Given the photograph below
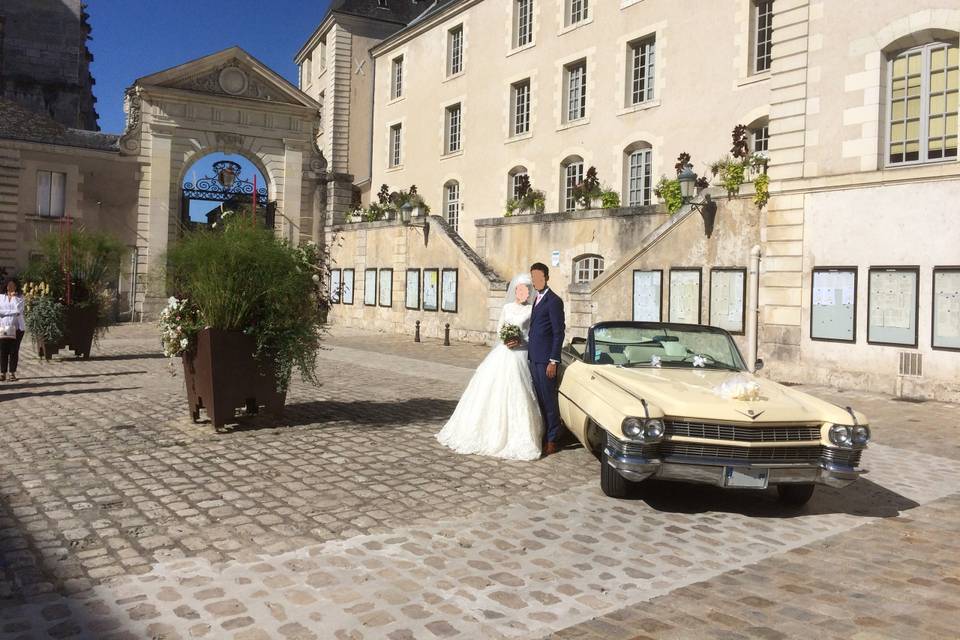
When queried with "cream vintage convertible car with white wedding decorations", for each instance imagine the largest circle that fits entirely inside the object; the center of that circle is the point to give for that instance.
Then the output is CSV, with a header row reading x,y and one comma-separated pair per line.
x,y
675,402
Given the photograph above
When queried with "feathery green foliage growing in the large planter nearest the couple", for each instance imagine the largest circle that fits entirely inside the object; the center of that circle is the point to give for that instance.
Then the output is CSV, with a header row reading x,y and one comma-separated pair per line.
x,y
246,279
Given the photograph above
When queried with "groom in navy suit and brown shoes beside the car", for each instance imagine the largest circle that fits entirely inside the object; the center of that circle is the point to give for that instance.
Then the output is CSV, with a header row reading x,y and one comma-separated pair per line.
x,y
543,351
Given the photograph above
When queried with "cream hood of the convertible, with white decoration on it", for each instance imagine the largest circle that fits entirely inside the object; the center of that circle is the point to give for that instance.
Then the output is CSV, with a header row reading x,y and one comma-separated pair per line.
x,y
696,393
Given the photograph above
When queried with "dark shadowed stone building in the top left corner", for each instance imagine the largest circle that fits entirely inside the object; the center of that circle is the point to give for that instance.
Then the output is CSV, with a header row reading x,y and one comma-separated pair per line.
x,y
45,62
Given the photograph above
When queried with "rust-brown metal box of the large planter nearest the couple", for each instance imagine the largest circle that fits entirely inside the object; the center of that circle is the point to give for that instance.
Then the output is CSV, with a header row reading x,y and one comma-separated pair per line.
x,y
223,375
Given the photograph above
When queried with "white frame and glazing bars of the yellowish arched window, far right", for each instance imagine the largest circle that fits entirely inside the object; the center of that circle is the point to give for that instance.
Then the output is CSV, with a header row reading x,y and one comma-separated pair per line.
x,y
926,96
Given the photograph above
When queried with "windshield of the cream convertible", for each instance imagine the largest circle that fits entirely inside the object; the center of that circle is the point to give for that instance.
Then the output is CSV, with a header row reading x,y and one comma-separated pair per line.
x,y
665,346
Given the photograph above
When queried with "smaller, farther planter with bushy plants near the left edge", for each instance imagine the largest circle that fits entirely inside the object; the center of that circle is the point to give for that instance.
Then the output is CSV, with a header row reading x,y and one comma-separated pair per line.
x,y
68,282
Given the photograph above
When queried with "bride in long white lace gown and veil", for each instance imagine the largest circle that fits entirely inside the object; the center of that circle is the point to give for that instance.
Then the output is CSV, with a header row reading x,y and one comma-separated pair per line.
x,y
498,414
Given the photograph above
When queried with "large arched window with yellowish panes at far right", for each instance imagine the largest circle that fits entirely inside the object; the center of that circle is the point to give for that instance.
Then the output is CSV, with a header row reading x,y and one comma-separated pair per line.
x,y
923,104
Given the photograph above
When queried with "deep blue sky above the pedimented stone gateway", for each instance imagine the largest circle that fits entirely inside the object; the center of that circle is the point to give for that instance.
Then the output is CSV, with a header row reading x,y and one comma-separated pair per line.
x,y
135,38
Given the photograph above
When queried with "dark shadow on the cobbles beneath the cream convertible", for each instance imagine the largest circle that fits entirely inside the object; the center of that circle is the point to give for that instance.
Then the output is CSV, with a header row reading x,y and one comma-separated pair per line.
x,y
862,498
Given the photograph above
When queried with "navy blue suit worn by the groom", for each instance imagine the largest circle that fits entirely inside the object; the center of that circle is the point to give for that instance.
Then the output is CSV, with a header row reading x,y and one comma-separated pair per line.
x,y
547,329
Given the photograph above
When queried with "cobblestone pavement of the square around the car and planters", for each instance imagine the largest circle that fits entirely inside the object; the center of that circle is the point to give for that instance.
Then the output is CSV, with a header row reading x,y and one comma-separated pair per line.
x,y
120,518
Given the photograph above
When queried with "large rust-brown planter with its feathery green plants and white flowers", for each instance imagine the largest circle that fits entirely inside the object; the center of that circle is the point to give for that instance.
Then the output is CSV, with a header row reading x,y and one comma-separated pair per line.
x,y
246,312
